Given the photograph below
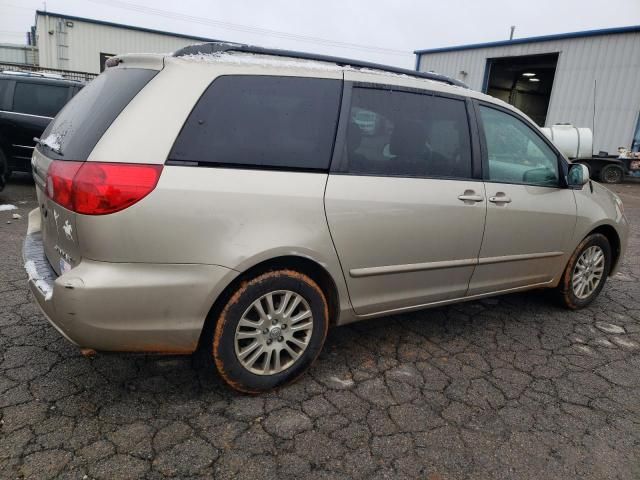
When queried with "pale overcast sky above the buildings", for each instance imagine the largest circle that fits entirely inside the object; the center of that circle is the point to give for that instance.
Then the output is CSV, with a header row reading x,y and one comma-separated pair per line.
x,y
376,30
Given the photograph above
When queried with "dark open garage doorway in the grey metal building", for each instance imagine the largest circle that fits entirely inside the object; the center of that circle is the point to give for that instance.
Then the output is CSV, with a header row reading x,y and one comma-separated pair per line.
x,y
525,82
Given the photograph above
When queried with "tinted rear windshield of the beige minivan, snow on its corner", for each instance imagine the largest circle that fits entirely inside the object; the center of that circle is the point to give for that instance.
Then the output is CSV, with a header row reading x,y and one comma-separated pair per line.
x,y
75,131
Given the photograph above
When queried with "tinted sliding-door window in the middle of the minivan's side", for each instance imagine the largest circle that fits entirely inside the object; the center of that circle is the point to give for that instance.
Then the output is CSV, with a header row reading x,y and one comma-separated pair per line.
x,y
393,133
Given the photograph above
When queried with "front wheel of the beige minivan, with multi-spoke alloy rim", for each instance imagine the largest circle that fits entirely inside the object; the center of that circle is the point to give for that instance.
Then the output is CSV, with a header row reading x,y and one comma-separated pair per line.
x,y
569,290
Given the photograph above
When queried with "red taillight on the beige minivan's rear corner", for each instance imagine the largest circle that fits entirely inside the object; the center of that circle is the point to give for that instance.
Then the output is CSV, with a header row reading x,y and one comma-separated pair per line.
x,y
98,188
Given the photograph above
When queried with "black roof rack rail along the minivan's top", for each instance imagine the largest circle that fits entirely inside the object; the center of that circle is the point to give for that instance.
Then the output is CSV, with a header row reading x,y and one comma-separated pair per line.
x,y
223,47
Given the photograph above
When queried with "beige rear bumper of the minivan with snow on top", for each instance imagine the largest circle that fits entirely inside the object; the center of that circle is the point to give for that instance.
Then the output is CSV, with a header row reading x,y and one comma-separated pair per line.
x,y
124,306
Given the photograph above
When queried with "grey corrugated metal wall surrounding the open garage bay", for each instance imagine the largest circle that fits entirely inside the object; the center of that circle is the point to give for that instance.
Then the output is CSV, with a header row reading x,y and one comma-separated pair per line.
x,y
610,63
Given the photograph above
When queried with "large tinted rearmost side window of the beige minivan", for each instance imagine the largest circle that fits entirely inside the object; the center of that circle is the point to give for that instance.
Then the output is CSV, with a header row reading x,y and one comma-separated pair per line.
x,y
262,121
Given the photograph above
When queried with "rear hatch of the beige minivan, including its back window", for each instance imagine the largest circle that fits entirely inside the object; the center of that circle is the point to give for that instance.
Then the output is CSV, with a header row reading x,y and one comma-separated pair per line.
x,y
66,144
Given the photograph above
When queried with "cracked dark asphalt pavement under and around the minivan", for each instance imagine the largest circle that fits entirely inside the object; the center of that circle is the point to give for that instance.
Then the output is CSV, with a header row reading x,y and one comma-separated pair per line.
x,y
510,387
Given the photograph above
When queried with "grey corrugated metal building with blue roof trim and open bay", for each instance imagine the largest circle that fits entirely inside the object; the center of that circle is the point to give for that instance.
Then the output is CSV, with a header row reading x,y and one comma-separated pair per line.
x,y
590,79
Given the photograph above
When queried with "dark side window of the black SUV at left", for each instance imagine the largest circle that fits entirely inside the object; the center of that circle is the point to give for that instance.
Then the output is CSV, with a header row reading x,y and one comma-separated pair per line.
x,y
39,99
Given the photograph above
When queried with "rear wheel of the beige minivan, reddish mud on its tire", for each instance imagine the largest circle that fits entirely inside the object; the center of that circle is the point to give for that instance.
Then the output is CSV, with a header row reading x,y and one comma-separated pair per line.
x,y
275,334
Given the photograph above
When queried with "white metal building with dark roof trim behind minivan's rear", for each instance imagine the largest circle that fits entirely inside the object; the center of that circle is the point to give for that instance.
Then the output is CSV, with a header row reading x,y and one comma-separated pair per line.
x,y
66,42
